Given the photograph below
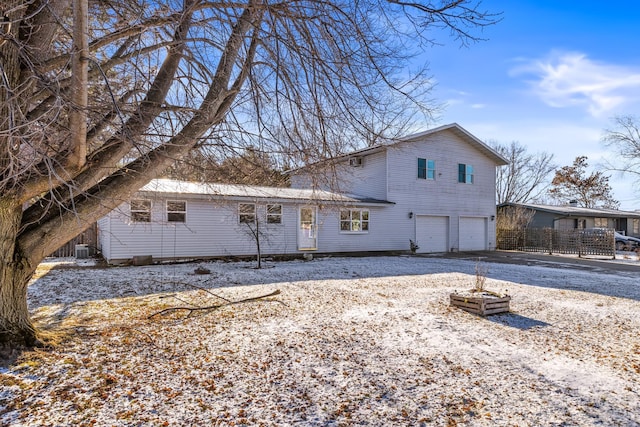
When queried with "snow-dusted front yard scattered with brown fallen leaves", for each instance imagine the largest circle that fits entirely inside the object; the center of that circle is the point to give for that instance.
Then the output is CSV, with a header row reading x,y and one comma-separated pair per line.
x,y
349,341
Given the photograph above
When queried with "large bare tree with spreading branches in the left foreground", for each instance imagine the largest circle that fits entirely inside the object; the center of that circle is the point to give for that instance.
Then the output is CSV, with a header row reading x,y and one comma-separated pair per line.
x,y
97,98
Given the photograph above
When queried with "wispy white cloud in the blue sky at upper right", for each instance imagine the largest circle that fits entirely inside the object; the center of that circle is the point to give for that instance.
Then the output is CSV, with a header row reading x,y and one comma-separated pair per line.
x,y
572,79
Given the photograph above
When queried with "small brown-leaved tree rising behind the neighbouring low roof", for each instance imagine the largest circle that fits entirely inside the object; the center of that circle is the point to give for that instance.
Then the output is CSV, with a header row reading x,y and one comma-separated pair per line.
x,y
572,183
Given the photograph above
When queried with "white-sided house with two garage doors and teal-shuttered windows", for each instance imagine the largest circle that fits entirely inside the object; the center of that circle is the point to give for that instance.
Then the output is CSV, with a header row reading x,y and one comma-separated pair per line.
x,y
436,188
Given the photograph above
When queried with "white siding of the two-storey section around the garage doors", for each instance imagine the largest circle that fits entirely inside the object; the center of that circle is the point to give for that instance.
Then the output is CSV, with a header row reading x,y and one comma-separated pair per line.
x,y
443,196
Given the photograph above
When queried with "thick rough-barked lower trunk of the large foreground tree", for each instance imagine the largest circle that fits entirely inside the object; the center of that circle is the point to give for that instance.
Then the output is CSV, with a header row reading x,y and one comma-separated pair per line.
x,y
16,329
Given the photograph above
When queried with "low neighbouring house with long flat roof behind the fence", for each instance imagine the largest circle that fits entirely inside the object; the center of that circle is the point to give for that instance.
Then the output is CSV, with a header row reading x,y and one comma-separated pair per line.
x,y
571,216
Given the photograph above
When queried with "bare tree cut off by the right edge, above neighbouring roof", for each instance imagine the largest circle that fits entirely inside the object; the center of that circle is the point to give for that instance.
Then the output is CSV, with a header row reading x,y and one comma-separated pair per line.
x,y
625,139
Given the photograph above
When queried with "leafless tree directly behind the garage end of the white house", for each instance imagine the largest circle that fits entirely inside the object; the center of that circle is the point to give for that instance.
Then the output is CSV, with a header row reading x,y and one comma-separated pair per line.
x,y
526,177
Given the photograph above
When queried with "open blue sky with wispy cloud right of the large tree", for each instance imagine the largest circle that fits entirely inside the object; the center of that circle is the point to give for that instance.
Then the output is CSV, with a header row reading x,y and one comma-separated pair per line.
x,y
551,75
